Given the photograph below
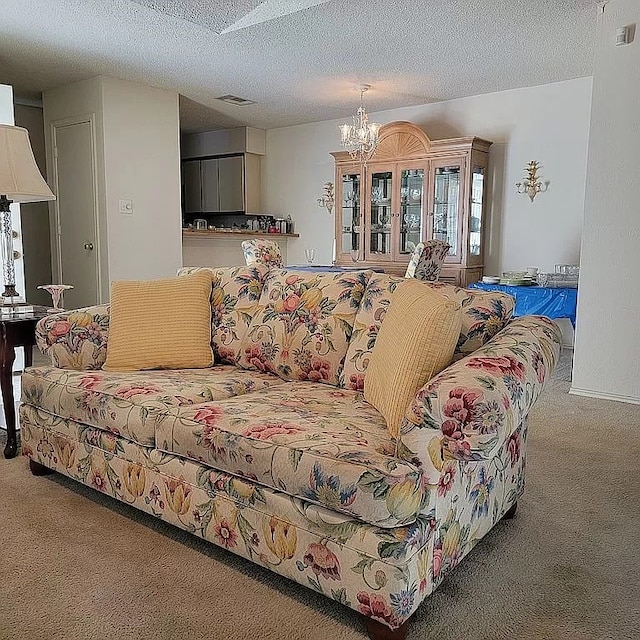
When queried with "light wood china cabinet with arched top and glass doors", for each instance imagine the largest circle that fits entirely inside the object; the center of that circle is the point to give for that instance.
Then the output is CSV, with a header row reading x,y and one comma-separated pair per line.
x,y
415,189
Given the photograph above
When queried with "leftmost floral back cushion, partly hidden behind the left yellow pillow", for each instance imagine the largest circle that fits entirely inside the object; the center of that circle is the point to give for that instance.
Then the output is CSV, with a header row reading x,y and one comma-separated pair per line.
x,y
234,299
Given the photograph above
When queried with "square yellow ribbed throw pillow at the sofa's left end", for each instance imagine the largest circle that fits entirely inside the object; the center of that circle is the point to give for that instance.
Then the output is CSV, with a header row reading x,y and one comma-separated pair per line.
x,y
160,324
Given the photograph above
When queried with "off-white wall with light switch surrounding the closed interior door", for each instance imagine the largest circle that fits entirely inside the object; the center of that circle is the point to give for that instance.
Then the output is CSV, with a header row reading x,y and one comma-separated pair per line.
x,y
138,158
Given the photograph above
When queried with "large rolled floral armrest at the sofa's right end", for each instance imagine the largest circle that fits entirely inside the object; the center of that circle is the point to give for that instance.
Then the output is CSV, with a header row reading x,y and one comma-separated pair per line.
x,y
478,401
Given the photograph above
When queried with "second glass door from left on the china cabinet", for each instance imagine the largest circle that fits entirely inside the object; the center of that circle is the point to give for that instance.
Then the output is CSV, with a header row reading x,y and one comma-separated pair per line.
x,y
380,198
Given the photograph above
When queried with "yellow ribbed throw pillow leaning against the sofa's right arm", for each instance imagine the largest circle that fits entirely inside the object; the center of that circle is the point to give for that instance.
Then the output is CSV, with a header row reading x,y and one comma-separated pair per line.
x,y
416,341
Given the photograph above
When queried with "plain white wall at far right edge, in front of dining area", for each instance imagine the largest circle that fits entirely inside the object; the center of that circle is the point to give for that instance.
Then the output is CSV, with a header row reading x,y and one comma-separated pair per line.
x,y
607,356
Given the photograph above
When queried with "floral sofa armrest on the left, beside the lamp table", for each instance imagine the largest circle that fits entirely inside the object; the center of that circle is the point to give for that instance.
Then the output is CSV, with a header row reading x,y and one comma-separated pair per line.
x,y
75,339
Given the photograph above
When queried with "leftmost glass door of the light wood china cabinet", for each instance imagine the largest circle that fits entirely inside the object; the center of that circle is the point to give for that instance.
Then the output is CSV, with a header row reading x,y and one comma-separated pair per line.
x,y
348,213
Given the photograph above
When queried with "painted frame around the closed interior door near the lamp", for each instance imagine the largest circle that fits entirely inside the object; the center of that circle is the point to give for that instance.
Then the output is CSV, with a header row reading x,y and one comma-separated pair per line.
x,y
56,229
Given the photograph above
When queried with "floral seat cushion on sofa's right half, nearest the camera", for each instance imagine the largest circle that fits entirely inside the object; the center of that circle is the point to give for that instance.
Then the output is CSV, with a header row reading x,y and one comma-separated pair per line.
x,y
314,442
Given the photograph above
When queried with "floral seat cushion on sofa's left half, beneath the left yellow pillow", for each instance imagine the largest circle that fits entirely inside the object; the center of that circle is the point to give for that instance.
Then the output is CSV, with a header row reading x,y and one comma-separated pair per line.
x,y
131,403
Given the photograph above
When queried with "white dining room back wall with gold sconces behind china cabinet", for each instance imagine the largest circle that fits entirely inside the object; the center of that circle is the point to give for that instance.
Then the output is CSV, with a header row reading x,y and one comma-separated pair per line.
x,y
549,123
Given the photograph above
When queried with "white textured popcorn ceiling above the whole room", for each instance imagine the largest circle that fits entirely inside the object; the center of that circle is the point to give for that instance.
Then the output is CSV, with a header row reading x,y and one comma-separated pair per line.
x,y
297,59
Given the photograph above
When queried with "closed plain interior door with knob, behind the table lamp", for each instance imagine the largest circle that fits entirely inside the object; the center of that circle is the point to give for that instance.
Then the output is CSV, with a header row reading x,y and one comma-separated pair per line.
x,y
76,212
